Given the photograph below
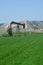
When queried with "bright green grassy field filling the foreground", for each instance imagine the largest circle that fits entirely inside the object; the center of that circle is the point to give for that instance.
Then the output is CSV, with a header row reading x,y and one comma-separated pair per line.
x,y
24,50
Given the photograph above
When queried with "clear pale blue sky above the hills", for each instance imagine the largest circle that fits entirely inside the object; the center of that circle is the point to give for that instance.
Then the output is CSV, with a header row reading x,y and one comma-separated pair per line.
x,y
18,10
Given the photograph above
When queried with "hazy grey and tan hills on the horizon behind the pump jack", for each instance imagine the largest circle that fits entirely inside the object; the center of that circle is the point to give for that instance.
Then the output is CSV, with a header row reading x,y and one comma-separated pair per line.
x,y
29,25
